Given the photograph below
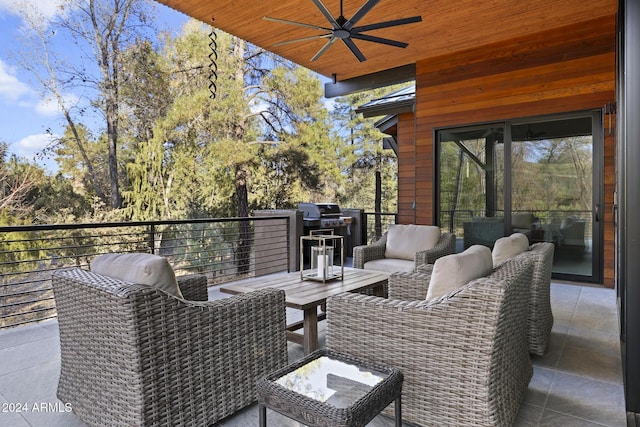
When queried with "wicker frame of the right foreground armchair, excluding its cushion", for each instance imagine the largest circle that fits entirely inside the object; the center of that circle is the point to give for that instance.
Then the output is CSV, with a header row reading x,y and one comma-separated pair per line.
x,y
464,356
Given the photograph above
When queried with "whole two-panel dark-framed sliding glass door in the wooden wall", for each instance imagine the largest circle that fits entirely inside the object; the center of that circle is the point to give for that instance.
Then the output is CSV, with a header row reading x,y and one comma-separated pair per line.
x,y
534,176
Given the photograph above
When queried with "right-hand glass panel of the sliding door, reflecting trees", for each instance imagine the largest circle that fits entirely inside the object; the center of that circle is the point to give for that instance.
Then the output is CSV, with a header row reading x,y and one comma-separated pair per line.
x,y
552,177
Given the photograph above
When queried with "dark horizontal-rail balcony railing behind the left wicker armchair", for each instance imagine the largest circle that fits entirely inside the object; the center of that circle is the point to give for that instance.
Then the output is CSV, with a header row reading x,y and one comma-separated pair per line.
x,y
222,249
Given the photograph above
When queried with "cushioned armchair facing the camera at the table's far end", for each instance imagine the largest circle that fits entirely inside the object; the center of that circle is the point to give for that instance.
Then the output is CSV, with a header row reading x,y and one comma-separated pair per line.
x,y
377,255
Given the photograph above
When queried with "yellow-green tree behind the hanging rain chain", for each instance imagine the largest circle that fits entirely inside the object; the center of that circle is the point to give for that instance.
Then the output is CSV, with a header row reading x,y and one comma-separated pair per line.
x,y
185,161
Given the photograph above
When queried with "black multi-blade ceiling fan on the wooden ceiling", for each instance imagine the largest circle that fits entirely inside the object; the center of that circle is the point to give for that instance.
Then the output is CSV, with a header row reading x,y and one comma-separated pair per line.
x,y
345,29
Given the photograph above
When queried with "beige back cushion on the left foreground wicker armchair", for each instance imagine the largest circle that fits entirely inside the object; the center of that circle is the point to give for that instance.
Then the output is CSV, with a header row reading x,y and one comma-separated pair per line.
x,y
139,268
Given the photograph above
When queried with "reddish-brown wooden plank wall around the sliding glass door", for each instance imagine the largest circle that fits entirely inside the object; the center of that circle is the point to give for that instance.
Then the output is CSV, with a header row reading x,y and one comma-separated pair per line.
x,y
546,73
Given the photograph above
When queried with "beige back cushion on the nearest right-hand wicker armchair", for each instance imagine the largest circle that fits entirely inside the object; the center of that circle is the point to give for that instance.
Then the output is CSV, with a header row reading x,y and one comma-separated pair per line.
x,y
453,271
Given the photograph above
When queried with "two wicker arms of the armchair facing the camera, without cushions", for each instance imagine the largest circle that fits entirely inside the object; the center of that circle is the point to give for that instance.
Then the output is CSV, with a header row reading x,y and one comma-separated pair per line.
x,y
363,254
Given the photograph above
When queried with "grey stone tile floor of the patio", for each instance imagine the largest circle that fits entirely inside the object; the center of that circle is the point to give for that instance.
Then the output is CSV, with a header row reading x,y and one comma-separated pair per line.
x,y
578,382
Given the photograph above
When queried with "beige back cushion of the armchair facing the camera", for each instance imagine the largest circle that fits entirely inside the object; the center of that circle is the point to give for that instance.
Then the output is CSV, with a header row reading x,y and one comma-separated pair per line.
x,y
404,240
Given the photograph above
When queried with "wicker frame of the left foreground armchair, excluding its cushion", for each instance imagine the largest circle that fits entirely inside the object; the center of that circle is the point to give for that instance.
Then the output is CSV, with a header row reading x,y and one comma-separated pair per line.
x,y
135,355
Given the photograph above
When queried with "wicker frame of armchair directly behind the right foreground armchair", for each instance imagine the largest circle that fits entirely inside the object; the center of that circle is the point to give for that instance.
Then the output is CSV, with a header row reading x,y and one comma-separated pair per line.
x,y
410,286
